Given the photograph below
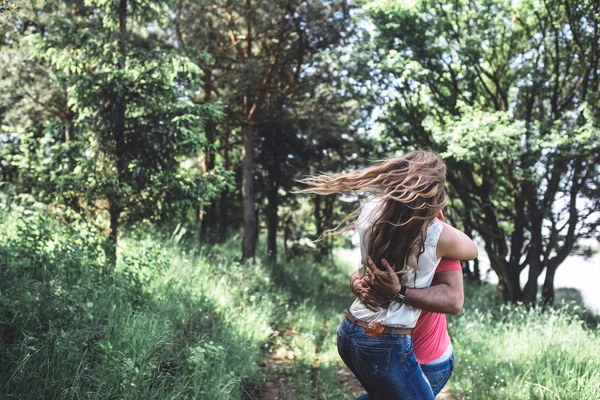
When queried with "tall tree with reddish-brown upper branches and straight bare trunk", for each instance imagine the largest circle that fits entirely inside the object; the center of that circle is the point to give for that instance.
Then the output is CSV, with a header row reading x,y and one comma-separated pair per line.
x,y
259,52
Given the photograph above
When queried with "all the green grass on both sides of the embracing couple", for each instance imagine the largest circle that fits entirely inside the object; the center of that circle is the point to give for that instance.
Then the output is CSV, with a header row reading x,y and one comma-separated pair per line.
x,y
177,323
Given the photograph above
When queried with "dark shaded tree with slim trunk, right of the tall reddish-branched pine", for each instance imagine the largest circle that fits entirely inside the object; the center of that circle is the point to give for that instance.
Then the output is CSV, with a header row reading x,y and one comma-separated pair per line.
x,y
313,131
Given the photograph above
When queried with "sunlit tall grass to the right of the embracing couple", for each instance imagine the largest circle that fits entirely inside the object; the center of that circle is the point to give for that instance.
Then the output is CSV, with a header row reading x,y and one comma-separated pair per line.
x,y
508,351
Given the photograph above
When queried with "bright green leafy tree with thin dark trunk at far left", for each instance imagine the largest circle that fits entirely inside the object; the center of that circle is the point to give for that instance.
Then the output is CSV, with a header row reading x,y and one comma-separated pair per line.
x,y
127,97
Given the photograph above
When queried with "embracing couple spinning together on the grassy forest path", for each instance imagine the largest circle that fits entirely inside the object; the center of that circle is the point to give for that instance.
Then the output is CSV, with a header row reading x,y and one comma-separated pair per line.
x,y
394,337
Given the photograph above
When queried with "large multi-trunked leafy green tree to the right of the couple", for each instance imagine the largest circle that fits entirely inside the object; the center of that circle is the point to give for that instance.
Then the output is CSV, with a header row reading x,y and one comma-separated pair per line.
x,y
504,91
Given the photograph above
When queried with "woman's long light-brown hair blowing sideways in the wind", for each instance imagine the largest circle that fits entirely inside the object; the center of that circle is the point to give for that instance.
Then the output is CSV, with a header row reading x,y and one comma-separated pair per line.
x,y
412,191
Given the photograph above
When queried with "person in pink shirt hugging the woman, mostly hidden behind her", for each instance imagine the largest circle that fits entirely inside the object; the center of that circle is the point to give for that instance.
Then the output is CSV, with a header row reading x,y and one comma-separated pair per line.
x,y
431,342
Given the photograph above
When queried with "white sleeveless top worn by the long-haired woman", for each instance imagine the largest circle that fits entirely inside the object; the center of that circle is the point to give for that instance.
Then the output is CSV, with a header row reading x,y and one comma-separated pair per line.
x,y
396,315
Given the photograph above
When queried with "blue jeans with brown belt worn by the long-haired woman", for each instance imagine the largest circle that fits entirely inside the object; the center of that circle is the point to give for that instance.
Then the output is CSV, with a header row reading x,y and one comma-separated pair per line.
x,y
386,368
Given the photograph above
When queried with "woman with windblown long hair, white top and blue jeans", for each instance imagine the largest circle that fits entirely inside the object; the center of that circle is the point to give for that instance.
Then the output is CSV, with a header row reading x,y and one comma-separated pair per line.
x,y
398,225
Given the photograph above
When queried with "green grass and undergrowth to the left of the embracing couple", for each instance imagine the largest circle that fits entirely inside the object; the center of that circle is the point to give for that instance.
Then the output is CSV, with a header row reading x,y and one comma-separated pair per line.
x,y
171,321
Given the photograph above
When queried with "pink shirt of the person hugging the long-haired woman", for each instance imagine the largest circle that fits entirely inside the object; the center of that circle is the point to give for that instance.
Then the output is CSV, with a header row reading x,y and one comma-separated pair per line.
x,y
430,335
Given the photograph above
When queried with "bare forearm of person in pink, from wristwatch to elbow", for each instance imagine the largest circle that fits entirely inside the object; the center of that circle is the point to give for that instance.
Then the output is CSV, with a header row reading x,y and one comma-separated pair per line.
x,y
440,298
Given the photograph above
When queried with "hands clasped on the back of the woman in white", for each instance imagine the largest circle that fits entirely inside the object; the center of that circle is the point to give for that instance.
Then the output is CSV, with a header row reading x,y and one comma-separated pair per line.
x,y
377,287
